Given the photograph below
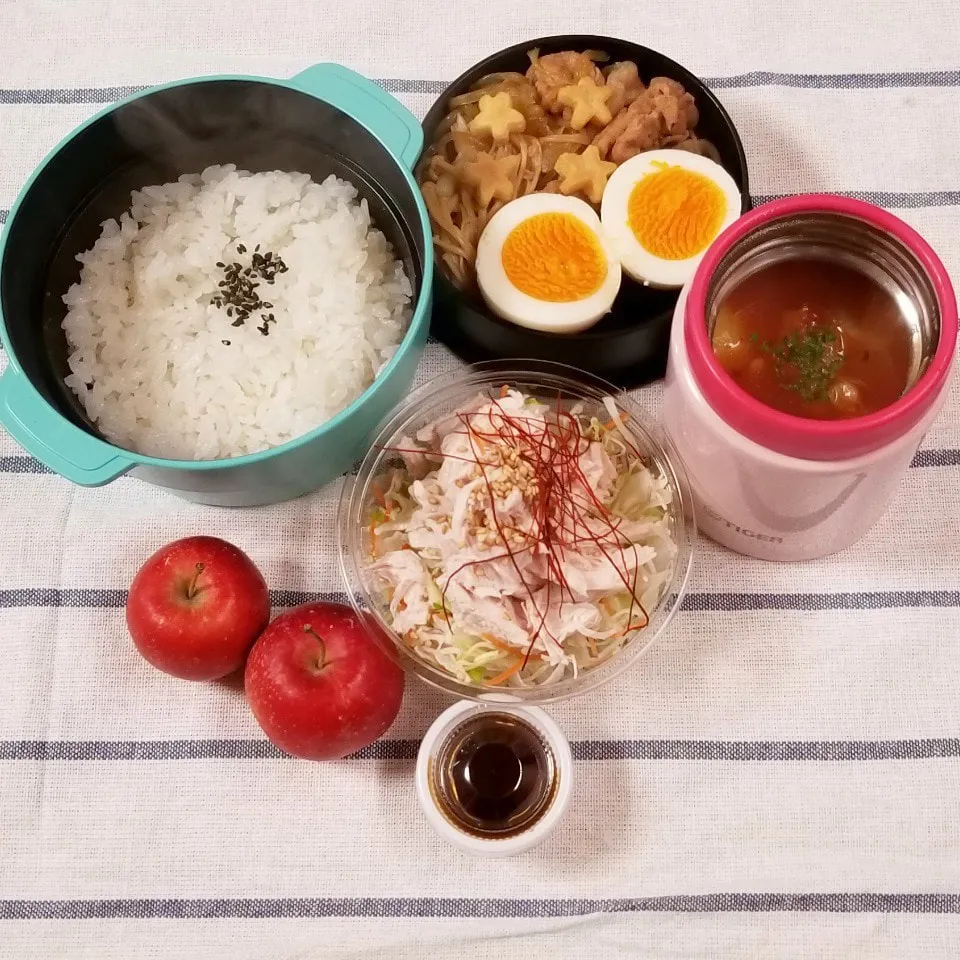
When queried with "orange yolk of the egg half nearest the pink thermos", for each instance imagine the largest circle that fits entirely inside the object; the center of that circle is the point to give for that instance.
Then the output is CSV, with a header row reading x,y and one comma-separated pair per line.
x,y
675,213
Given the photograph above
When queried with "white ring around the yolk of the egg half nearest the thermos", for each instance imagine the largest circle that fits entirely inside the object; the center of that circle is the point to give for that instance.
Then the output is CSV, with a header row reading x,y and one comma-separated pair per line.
x,y
638,262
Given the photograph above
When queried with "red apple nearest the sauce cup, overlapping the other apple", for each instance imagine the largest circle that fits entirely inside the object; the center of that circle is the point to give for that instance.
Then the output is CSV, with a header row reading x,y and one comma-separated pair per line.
x,y
320,684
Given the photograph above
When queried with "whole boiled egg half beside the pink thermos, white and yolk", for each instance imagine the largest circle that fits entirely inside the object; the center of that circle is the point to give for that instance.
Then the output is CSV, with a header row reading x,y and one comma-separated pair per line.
x,y
662,210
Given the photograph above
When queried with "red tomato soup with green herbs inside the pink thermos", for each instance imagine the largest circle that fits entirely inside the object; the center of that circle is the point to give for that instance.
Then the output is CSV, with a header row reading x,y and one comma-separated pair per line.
x,y
814,338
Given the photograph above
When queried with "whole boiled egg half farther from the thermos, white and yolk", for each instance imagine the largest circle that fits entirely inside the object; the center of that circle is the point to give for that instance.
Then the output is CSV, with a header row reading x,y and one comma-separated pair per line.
x,y
544,262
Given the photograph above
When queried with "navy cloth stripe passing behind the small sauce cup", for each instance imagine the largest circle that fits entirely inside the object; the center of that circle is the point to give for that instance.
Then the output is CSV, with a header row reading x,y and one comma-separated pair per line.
x,y
583,750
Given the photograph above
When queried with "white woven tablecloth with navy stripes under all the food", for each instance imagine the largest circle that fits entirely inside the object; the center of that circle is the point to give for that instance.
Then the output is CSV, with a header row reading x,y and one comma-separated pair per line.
x,y
780,777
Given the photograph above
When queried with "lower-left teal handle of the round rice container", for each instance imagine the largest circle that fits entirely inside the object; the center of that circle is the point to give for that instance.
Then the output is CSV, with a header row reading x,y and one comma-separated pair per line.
x,y
54,440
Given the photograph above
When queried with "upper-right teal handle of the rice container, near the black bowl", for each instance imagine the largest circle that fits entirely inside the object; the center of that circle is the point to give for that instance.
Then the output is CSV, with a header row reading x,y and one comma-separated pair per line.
x,y
369,104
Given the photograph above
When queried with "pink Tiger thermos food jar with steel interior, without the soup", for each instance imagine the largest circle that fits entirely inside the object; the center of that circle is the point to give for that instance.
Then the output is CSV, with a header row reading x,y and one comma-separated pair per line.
x,y
777,485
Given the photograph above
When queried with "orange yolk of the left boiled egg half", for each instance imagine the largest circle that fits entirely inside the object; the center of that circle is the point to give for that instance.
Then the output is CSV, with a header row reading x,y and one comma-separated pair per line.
x,y
554,257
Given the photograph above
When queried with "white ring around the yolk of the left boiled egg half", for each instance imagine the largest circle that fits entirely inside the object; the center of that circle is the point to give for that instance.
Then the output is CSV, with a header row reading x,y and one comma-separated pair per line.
x,y
520,308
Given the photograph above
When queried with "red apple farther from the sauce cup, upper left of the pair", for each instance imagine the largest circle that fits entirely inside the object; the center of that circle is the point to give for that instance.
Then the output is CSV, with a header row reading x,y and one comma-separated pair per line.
x,y
196,606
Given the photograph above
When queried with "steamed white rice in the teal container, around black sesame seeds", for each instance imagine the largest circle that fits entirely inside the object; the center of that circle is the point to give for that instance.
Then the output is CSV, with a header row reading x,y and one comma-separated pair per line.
x,y
142,328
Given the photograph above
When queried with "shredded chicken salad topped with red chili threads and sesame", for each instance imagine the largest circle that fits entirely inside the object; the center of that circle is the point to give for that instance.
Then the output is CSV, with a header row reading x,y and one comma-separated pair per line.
x,y
495,573
